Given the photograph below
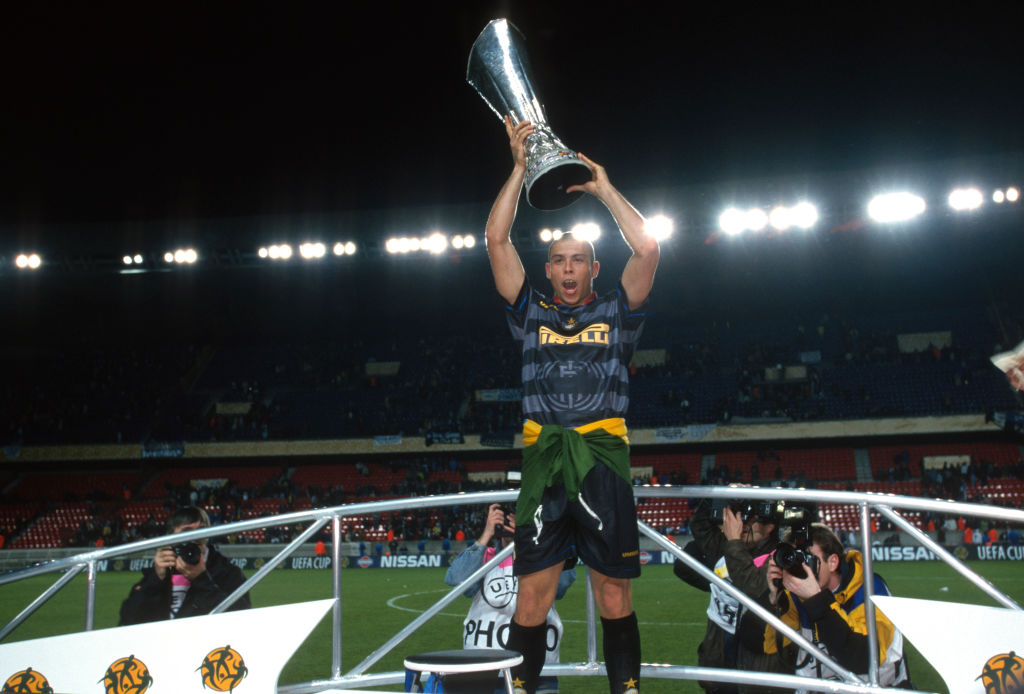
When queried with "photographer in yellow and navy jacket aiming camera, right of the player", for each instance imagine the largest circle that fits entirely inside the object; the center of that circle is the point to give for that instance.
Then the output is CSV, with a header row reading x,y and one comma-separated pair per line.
x,y
825,599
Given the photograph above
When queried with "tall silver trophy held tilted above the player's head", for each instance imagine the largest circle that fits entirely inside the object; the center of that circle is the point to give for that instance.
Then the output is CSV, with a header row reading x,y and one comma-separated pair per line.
x,y
500,73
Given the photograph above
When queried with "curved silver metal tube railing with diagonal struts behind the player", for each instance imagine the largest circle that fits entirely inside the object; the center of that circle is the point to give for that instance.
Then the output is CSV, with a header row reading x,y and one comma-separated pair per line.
x,y
359,677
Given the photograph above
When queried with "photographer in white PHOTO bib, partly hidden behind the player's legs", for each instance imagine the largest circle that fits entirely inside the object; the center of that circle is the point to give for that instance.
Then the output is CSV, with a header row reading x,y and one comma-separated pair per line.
x,y
487,626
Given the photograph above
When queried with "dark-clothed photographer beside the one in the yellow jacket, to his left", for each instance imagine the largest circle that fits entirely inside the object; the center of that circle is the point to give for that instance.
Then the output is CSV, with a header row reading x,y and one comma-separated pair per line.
x,y
736,541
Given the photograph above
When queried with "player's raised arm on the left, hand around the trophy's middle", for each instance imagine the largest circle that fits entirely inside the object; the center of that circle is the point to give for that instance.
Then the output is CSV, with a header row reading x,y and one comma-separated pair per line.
x,y
505,263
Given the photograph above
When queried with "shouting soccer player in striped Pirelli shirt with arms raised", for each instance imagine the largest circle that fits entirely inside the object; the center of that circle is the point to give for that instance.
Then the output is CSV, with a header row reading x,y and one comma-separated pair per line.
x,y
576,499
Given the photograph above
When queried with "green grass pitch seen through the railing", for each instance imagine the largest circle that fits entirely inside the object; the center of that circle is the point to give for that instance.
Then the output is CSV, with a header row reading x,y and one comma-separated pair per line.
x,y
377,603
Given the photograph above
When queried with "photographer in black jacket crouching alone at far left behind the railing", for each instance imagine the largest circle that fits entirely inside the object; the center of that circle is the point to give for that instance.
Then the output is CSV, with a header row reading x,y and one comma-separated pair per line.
x,y
186,581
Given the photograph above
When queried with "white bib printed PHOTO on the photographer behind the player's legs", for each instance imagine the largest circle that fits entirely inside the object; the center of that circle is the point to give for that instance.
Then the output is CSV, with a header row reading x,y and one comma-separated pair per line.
x,y
487,626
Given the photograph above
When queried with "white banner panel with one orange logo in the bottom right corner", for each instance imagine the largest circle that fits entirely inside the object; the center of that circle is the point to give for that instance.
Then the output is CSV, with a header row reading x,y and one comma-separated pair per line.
x,y
976,649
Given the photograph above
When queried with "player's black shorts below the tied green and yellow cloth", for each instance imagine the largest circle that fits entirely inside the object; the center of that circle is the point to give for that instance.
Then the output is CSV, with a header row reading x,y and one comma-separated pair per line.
x,y
601,529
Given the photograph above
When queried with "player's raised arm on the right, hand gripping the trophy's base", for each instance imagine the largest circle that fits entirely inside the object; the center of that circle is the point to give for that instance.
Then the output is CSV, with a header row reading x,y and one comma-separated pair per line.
x,y
638,276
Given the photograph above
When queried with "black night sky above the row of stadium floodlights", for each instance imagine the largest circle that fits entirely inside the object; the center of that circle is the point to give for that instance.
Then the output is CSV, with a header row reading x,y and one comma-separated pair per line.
x,y
146,111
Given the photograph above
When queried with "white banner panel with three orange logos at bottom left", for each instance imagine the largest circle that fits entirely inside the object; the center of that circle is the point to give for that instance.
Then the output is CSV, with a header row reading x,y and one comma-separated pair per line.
x,y
242,652
